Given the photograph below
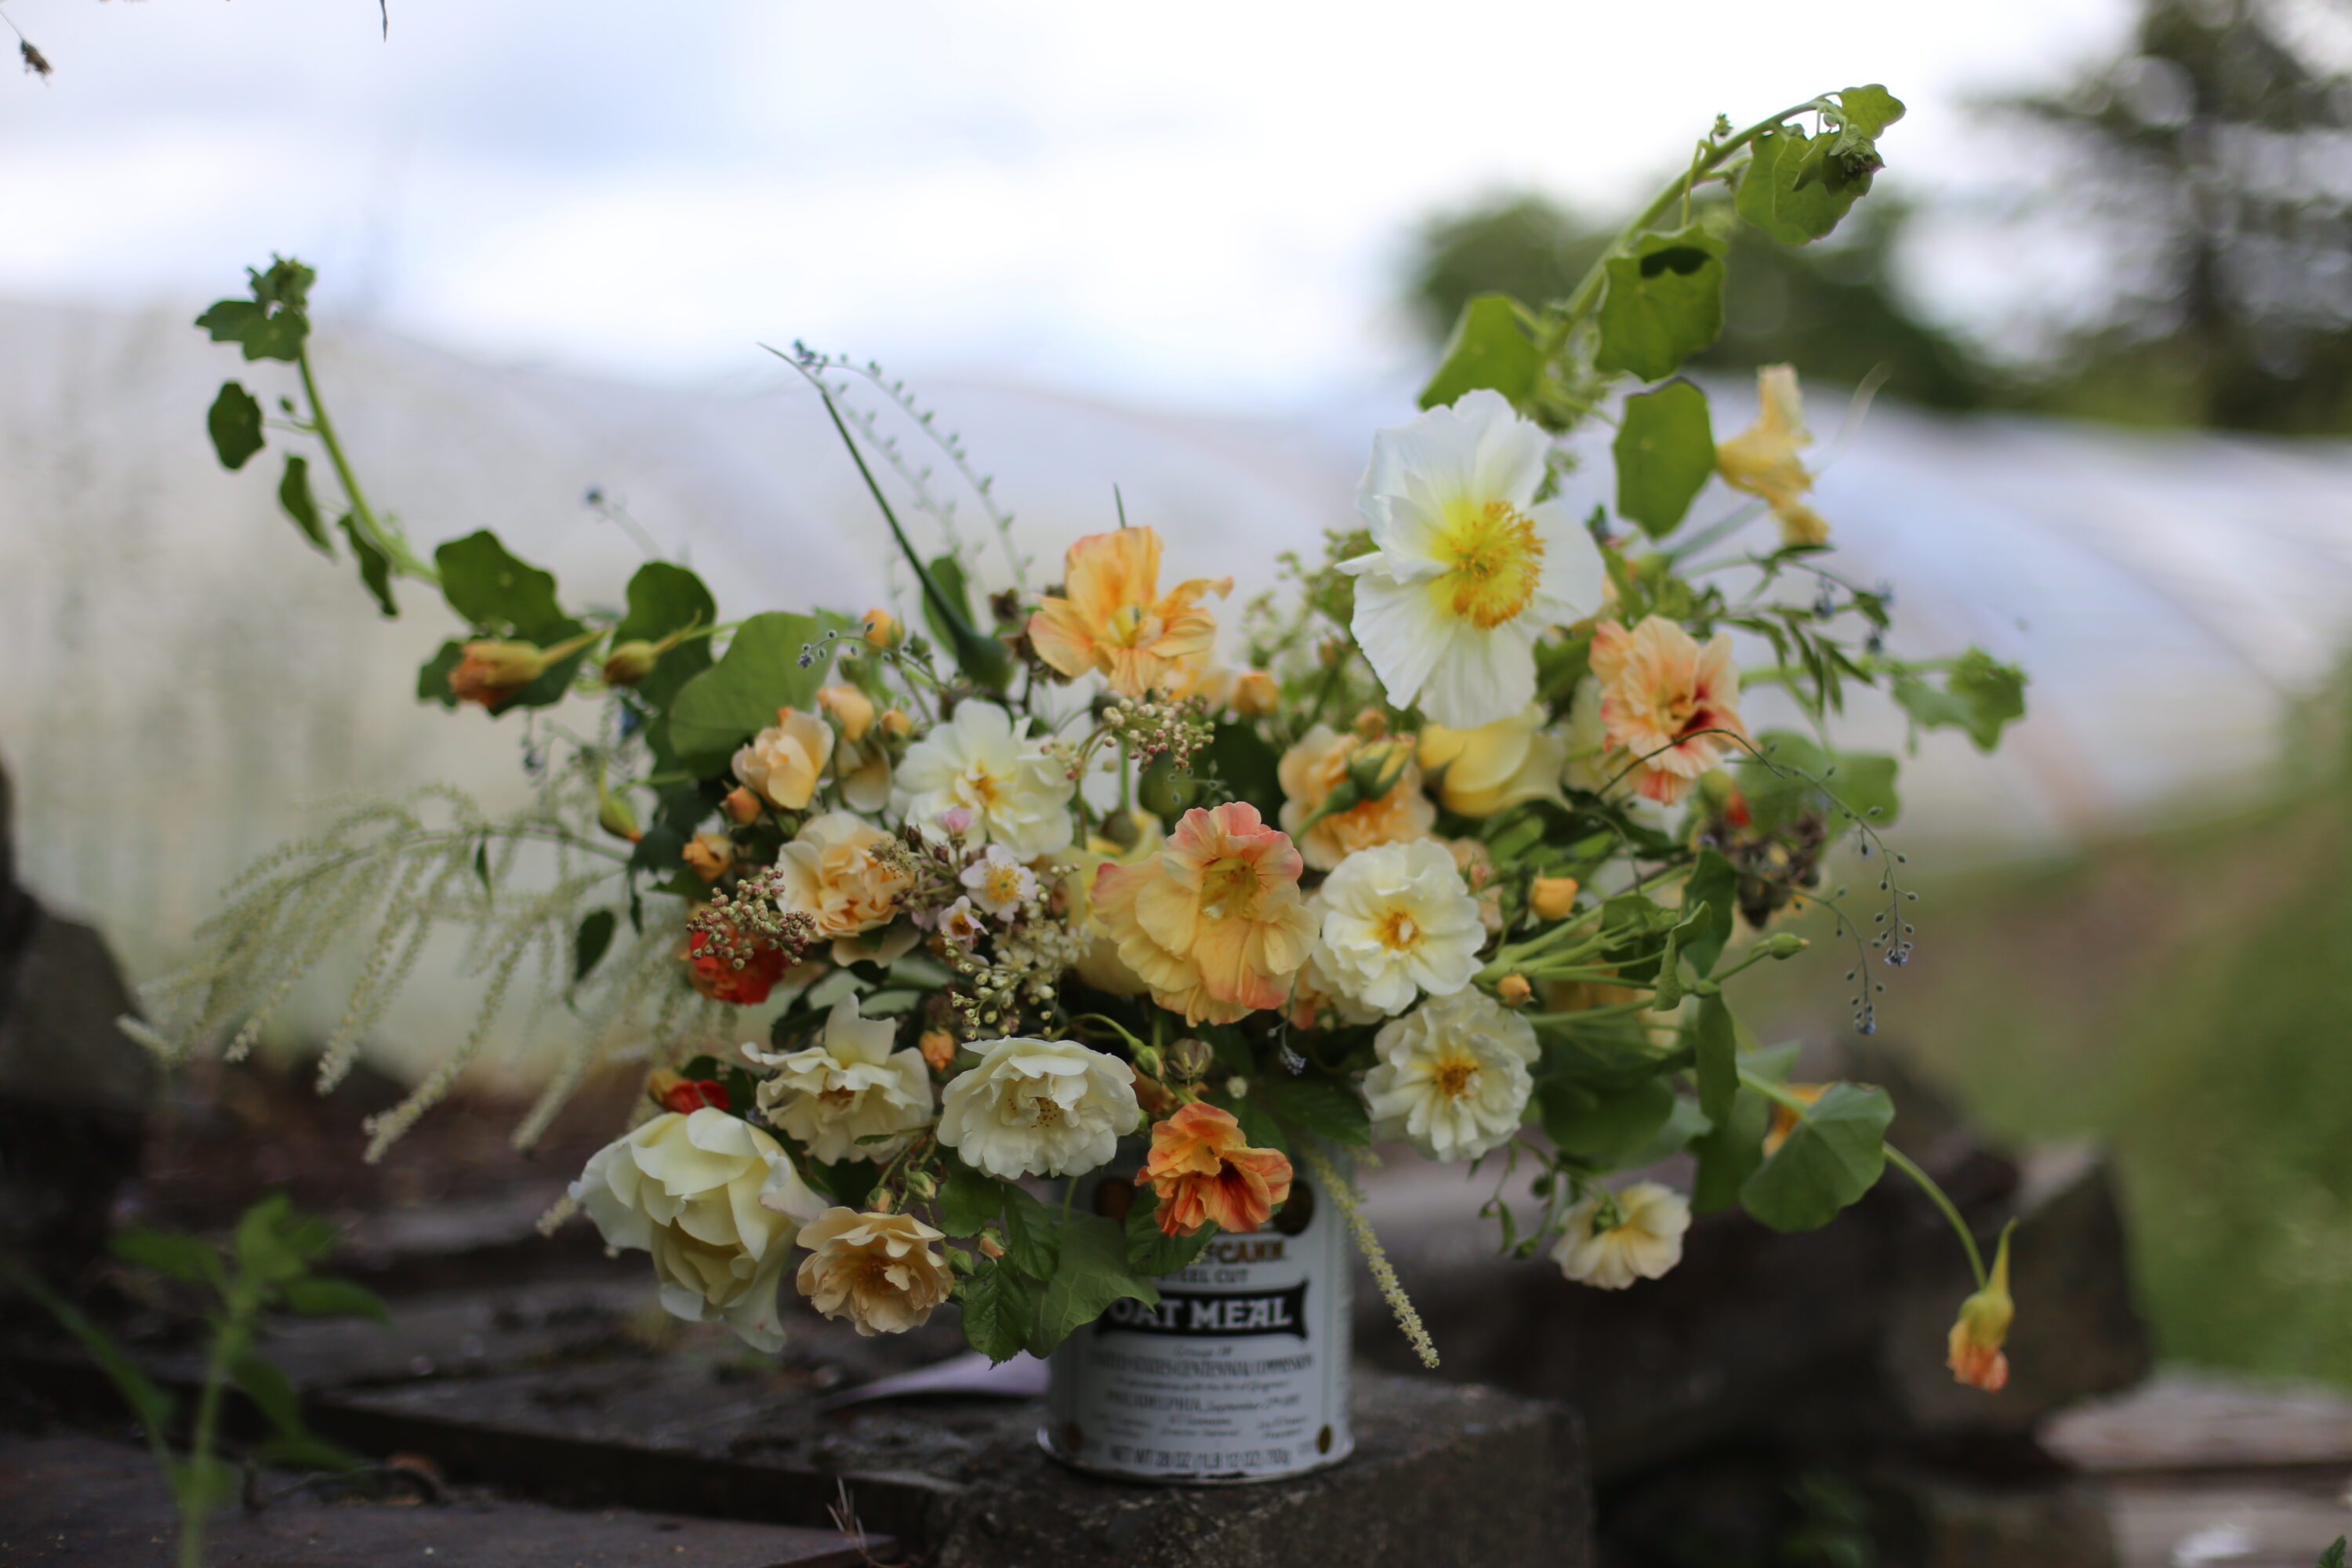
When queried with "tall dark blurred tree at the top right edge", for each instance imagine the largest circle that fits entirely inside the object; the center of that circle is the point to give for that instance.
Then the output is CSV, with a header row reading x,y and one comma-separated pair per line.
x,y
2217,159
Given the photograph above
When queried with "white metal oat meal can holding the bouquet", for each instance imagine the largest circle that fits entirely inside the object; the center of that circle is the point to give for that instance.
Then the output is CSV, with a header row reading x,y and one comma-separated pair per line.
x,y
1241,1374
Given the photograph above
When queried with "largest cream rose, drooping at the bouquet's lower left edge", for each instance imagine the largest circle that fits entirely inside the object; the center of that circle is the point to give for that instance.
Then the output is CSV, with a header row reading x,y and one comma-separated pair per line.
x,y
716,1202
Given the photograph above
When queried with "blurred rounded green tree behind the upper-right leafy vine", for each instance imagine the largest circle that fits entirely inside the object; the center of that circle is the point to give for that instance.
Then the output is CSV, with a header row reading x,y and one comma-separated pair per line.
x,y
1831,309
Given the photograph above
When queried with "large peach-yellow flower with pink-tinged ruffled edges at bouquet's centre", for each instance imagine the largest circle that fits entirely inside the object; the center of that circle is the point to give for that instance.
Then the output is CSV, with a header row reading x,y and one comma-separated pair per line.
x,y
1212,923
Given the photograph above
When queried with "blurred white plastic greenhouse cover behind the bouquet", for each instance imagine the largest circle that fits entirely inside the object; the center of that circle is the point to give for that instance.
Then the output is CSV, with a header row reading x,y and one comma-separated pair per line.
x,y
187,678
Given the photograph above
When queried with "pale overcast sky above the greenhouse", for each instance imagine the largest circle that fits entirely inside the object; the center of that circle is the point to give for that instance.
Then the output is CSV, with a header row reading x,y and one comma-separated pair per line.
x,y
1191,206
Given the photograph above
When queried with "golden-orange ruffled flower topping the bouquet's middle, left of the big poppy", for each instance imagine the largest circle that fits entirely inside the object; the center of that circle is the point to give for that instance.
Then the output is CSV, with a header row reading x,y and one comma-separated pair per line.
x,y
1116,622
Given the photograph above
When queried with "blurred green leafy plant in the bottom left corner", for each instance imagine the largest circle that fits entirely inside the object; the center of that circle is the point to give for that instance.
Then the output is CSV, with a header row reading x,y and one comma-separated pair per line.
x,y
267,1268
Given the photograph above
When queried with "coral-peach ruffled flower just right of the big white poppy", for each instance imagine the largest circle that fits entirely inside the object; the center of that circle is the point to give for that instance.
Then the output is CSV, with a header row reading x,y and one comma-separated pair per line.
x,y
1669,702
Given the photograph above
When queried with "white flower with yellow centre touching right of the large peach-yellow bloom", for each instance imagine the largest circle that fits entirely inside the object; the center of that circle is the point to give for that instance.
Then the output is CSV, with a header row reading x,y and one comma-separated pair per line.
x,y
1394,920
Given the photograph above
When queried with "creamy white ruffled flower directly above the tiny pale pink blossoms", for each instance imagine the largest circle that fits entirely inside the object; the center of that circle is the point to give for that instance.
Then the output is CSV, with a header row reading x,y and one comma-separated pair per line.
x,y
977,763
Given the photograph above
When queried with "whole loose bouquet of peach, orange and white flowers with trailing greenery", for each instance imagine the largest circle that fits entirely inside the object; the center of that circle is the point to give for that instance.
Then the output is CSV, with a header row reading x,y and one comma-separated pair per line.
x,y
1459,838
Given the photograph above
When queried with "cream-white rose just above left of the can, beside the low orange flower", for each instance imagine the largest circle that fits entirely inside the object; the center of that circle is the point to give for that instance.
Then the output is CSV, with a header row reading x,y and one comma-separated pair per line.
x,y
1038,1108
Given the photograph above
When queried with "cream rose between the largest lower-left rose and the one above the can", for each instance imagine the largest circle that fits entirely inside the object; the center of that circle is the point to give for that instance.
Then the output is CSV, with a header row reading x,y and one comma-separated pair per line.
x,y
848,1087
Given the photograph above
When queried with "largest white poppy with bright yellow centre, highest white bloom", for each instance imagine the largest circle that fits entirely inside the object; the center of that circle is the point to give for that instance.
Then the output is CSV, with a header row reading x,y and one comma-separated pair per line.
x,y
1466,568
